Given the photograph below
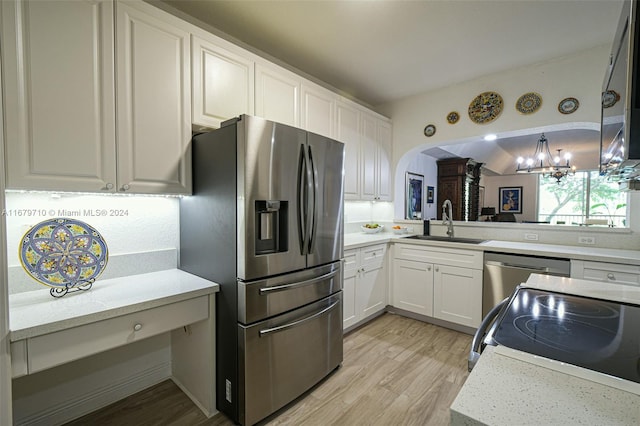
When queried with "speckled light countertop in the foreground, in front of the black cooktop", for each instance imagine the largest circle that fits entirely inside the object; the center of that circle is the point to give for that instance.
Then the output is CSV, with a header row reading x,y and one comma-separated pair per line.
x,y
506,391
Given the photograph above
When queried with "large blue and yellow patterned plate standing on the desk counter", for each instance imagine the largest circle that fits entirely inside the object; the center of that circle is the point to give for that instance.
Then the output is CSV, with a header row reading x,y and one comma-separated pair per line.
x,y
63,253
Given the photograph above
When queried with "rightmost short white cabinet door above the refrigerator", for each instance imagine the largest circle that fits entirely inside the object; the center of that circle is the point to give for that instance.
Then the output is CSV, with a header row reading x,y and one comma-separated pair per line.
x,y
318,110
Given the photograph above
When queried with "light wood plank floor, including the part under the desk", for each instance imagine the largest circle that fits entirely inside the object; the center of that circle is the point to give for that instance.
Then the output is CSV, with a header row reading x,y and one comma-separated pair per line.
x,y
396,371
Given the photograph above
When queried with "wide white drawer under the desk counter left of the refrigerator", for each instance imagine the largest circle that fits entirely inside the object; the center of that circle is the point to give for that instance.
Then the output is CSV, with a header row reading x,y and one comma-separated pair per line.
x,y
57,348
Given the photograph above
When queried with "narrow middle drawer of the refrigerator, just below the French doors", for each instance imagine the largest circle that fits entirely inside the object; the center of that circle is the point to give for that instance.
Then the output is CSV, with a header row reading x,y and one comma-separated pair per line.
x,y
263,299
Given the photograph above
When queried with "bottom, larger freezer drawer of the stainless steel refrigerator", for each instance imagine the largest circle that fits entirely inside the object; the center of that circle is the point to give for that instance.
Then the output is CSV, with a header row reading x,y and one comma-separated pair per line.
x,y
283,357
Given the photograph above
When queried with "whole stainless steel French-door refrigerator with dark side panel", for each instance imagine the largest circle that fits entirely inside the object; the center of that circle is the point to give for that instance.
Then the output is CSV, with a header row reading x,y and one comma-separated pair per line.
x,y
265,222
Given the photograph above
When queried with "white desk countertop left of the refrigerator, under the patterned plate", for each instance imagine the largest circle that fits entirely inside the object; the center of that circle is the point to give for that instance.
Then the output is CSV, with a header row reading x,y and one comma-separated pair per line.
x,y
36,312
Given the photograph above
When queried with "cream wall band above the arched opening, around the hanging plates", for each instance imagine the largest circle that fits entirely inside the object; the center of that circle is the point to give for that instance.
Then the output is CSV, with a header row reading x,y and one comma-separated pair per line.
x,y
579,75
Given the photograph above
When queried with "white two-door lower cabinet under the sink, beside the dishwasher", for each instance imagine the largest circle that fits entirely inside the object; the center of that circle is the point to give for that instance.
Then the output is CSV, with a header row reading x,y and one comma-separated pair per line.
x,y
438,282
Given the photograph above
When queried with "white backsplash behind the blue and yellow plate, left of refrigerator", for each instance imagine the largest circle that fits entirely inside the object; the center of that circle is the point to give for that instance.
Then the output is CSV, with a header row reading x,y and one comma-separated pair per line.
x,y
141,232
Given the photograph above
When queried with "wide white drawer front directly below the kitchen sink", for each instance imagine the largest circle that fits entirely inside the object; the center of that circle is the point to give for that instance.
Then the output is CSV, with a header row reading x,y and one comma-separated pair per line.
x,y
440,255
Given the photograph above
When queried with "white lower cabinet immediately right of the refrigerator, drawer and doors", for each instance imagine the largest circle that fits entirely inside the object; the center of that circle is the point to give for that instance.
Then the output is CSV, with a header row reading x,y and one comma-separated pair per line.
x,y
365,285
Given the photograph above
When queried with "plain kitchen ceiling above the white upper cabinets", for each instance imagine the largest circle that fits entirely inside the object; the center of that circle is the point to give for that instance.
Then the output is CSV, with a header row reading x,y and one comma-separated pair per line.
x,y
385,50
